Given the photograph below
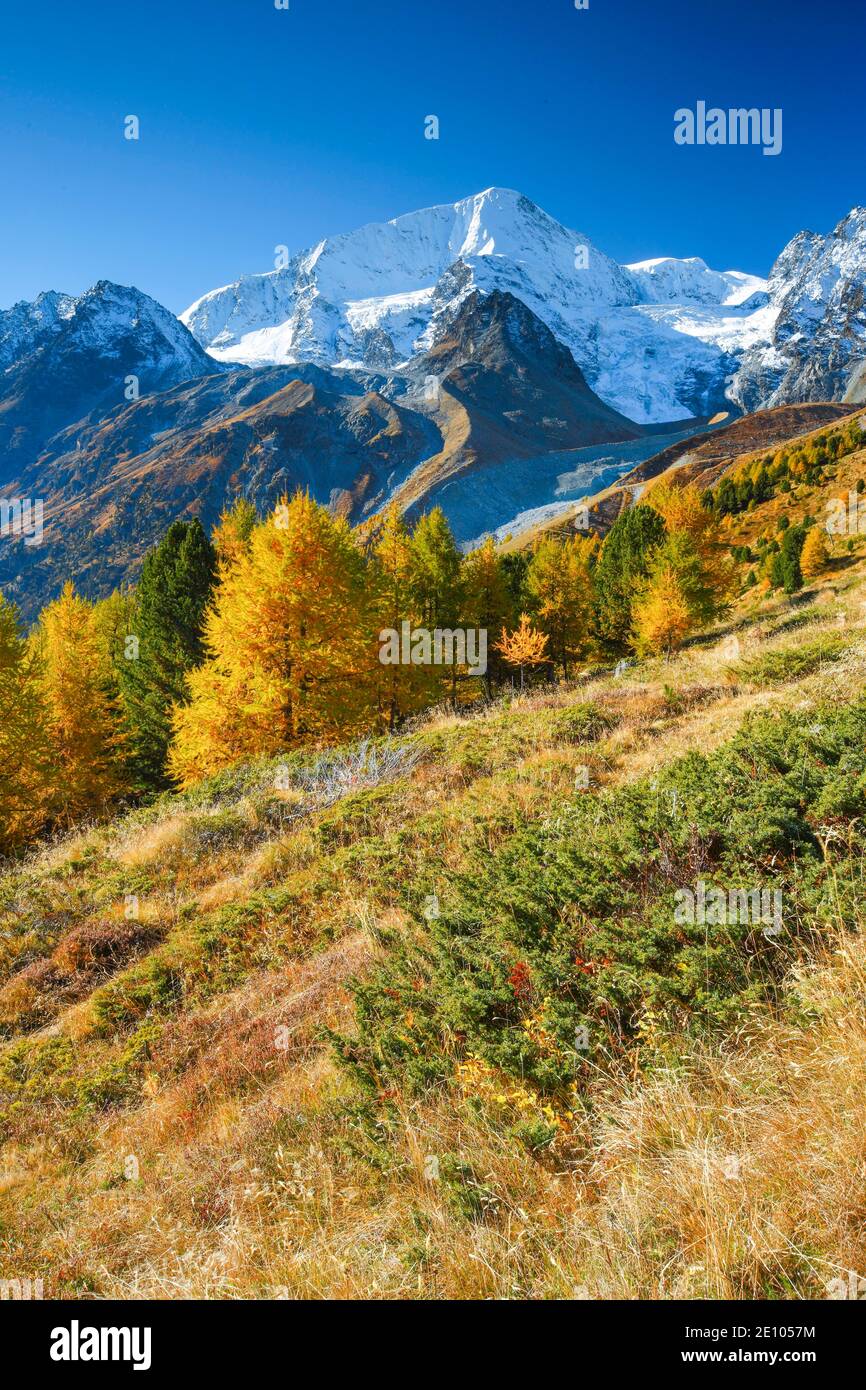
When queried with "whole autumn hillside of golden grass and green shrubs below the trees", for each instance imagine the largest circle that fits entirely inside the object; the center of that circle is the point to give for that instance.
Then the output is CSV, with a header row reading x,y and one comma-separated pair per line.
x,y
418,1020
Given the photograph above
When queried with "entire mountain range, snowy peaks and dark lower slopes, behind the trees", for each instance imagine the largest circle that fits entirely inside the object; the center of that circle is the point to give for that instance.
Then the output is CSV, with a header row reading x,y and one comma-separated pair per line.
x,y
477,355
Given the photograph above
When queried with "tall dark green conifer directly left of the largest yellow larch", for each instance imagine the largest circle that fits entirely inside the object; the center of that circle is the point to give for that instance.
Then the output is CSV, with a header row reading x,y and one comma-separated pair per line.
x,y
168,643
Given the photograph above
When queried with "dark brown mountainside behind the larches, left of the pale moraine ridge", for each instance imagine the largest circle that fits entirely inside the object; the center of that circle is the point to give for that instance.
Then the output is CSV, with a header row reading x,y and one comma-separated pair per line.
x,y
113,487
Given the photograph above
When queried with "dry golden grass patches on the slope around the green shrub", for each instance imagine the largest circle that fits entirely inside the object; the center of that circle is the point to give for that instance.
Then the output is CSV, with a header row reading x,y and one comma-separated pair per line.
x,y
692,1172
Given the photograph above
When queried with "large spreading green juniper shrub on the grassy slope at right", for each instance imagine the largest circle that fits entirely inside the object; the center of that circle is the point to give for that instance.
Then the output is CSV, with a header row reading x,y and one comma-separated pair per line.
x,y
571,926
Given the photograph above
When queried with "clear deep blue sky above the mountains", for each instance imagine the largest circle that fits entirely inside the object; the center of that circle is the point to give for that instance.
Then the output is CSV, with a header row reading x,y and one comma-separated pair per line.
x,y
262,127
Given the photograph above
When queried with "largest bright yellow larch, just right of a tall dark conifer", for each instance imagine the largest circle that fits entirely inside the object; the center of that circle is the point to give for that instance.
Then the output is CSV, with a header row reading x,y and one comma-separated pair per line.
x,y
291,647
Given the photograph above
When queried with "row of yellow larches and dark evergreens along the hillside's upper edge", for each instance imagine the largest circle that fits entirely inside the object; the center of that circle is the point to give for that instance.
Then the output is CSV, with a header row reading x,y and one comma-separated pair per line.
x,y
265,636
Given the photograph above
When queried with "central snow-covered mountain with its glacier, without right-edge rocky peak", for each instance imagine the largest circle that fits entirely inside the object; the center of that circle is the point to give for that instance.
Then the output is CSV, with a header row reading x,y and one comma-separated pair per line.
x,y
655,338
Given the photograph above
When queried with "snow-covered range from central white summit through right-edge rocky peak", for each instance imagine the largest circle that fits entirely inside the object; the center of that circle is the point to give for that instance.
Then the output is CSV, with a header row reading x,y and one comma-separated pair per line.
x,y
661,340
